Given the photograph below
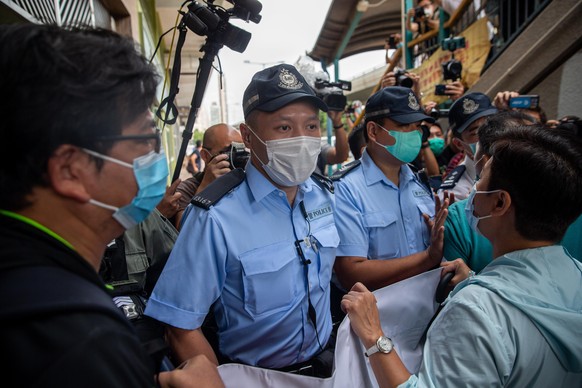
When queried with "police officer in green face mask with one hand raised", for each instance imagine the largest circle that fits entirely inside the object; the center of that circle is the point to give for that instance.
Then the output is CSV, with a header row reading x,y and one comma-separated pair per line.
x,y
385,214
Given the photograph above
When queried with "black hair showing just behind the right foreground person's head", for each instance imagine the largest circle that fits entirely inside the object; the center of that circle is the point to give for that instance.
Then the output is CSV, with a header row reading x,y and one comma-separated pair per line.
x,y
496,124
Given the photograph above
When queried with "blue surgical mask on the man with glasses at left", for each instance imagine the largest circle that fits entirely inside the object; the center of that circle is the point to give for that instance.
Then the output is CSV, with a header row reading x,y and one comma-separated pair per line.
x,y
151,174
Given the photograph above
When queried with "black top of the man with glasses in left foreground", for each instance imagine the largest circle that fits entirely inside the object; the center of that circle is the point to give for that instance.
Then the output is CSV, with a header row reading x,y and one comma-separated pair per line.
x,y
63,347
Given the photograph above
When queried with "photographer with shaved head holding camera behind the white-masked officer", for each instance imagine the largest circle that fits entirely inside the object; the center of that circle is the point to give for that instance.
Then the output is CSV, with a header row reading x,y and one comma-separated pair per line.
x,y
217,139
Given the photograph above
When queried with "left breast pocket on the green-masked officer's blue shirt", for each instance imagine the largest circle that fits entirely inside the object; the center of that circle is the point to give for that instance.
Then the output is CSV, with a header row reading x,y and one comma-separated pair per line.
x,y
384,235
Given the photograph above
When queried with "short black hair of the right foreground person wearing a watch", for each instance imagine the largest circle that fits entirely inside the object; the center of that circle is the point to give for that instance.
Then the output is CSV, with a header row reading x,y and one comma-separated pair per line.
x,y
541,170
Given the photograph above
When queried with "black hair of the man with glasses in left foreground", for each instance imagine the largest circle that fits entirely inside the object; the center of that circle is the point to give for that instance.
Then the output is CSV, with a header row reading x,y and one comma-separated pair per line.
x,y
63,86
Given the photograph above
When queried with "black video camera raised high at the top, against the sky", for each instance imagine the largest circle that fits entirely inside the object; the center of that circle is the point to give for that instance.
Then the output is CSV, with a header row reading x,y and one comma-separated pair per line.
x,y
206,20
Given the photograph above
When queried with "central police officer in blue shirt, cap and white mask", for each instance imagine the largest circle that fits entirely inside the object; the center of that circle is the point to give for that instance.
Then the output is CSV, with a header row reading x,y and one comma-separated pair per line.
x,y
257,248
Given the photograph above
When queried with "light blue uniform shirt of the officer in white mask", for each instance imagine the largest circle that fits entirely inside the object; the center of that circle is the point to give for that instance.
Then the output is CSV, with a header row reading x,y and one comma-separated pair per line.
x,y
241,253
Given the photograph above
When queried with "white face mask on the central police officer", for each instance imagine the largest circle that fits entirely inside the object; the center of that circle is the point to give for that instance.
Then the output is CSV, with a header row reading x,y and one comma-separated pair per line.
x,y
291,161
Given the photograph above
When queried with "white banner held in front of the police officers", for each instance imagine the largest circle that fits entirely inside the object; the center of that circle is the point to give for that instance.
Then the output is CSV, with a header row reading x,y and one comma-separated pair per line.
x,y
405,310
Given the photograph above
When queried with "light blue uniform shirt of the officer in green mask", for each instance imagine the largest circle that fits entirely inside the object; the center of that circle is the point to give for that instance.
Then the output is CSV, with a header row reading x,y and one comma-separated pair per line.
x,y
378,220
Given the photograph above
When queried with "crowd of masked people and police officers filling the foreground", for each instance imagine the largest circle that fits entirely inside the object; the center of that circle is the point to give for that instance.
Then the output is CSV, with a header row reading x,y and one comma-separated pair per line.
x,y
256,258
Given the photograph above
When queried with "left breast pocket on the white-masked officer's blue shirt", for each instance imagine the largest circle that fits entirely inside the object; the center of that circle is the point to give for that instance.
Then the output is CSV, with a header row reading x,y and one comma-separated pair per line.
x,y
270,278
